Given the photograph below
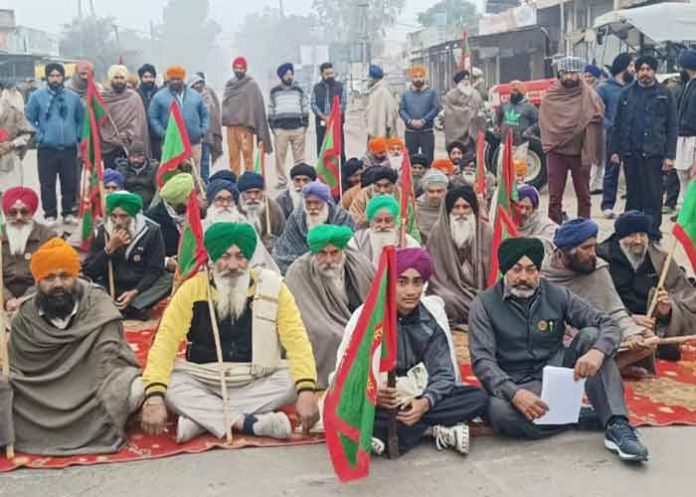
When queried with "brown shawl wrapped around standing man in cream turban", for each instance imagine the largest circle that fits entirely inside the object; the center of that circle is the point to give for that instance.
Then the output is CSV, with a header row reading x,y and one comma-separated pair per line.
x,y
128,114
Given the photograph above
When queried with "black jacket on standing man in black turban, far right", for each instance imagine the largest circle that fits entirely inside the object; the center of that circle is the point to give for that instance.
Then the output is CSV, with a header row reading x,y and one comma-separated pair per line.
x,y
660,139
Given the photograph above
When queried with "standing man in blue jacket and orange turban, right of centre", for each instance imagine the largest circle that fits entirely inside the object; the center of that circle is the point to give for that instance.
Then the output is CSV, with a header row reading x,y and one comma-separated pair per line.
x,y
420,106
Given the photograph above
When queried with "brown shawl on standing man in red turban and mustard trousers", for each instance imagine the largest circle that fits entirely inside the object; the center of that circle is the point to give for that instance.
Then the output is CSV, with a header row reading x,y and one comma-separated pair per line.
x,y
243,105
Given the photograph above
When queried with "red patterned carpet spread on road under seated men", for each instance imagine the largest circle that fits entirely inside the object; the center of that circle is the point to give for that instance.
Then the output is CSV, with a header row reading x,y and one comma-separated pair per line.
x,y
668,399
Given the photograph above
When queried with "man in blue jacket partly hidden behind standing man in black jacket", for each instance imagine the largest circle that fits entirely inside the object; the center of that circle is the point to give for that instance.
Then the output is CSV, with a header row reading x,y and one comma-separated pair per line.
x,y
622,74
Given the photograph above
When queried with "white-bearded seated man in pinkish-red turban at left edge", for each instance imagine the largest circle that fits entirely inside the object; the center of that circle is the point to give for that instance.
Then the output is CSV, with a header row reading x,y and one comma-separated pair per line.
x,y
21,237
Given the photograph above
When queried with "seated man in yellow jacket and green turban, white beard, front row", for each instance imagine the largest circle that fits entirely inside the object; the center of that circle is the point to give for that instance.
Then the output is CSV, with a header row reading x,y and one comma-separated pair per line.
x,y
259,325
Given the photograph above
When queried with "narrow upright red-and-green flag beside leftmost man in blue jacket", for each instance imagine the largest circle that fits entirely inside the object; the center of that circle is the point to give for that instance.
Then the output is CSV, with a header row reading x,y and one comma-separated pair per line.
x,y
92,203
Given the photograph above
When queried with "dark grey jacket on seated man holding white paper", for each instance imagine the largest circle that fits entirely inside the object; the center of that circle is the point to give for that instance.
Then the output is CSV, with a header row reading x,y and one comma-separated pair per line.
x,y
511,339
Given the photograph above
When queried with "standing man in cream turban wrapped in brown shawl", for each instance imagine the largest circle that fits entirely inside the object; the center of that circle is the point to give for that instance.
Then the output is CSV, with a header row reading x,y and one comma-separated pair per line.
x,y
126,124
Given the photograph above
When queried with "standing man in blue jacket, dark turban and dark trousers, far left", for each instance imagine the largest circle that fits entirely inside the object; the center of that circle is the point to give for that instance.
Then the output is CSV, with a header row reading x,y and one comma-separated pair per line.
x,y
57,115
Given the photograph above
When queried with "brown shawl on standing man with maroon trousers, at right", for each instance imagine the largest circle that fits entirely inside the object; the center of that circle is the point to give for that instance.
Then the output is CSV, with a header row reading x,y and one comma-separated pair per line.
x,y
569,113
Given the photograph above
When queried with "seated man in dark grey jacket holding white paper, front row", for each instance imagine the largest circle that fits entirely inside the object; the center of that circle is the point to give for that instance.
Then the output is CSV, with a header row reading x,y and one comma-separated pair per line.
x,y
516,328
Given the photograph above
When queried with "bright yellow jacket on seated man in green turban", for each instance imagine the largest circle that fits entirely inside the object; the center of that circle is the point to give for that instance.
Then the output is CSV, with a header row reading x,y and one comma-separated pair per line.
x,y
177,321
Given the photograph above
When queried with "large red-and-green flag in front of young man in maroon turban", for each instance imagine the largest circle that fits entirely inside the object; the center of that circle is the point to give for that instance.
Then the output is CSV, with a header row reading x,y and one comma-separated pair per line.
x,y
351,400
